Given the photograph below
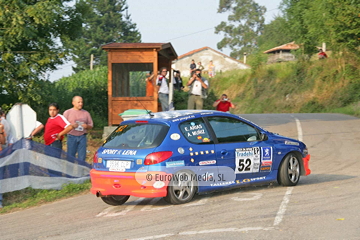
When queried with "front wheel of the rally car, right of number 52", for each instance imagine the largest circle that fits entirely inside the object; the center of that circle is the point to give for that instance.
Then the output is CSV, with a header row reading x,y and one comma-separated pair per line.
x,y
289,171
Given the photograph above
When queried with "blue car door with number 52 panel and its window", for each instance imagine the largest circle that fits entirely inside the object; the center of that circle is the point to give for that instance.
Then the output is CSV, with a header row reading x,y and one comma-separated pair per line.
x,y
239,147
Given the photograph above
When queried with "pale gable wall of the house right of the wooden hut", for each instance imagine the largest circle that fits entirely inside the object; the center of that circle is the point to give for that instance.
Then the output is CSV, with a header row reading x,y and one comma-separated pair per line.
x,y
221,62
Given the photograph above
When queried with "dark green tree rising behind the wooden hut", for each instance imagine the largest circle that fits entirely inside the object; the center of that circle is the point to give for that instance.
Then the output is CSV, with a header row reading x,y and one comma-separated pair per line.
x,y
105,21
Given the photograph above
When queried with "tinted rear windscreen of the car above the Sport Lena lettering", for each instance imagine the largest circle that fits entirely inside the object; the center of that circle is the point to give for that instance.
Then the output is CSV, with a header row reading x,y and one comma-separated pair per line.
x,y
137,136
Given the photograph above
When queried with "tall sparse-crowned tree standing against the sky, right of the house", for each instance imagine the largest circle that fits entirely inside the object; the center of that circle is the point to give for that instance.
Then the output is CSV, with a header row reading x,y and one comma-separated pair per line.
x,y
245,24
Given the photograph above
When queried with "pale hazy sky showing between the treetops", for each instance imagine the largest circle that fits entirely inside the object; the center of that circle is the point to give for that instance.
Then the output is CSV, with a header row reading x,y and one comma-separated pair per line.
x,y
186,24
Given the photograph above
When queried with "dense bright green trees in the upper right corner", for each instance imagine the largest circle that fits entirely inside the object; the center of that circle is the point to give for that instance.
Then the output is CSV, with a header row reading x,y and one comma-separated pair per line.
x,y
315,21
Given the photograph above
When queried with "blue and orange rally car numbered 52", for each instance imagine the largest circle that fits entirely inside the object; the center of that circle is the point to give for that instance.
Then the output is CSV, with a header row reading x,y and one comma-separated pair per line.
x,y
177,154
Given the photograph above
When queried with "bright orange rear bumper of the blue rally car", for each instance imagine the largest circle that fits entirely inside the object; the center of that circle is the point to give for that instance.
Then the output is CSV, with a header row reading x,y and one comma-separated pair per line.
x,y
136,184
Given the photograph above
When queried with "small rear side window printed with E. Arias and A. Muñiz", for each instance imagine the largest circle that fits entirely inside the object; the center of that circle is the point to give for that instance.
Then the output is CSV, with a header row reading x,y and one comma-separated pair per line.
x,y
195,131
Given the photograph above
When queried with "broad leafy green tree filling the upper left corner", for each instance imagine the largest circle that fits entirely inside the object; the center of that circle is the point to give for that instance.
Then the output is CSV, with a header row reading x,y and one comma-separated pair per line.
x,y
31,33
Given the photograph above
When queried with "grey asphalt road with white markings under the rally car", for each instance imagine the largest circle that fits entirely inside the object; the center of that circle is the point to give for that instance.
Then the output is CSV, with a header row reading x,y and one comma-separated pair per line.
x,y
324,205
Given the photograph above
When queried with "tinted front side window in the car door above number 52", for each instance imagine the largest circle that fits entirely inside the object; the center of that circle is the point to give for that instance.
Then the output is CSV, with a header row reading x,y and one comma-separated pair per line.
x,y
228,130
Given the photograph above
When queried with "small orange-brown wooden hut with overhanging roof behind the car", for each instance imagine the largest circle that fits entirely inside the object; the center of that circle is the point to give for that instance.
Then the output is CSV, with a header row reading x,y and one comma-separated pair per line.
x,y
129,64
